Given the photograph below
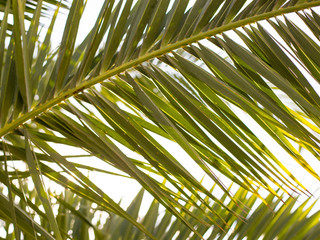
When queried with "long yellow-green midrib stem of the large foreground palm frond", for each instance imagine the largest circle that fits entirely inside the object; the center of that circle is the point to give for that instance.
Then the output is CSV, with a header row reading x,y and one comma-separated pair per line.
x,y
112,72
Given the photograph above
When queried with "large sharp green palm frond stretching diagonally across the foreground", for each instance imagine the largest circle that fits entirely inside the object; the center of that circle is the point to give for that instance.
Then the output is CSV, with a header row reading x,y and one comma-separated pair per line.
x,y
180,75
